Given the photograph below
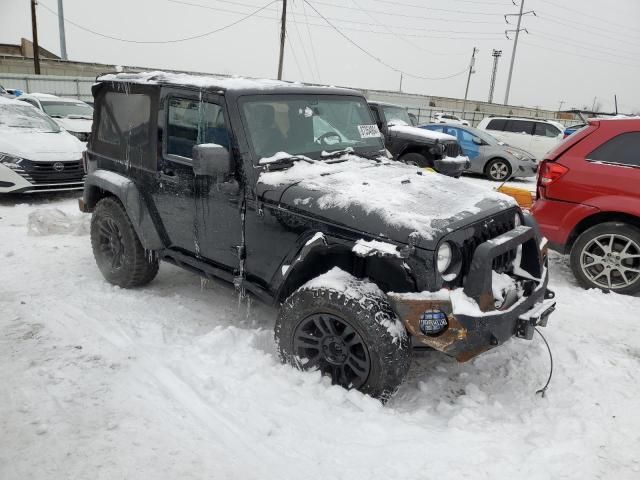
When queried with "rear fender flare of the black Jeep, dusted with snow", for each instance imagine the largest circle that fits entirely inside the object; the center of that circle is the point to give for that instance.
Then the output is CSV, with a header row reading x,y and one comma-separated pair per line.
x,y
125,190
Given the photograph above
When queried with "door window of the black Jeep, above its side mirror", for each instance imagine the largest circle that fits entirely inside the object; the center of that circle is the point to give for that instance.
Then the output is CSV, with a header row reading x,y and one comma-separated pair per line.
x,y
192,122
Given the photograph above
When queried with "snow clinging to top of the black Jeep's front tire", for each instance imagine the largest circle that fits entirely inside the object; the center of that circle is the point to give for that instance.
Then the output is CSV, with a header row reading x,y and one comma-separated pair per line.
x,y
362,291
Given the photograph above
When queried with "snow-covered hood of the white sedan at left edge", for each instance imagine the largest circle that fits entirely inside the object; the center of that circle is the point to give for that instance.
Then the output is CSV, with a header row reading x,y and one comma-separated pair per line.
x,y
40,146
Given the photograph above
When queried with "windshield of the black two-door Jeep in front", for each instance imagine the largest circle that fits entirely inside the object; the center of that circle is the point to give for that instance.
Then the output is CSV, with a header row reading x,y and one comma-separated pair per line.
x,y
309,125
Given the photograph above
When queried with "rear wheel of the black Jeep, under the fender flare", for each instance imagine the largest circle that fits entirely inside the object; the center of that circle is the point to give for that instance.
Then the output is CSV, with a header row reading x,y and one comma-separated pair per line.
x,y
116,247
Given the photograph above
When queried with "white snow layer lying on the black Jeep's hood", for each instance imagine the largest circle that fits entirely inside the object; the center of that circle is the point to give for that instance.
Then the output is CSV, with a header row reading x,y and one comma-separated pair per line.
x,y
400,194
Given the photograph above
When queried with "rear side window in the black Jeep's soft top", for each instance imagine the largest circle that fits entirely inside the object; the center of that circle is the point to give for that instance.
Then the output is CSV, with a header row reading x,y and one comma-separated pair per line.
x,y
124,127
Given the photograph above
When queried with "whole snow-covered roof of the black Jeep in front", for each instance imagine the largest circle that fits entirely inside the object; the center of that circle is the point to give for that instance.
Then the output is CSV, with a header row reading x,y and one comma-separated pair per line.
x,y
237,84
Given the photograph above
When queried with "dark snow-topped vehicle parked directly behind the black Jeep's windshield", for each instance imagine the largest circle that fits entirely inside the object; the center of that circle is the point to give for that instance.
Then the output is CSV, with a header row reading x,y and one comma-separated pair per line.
x,y
416,146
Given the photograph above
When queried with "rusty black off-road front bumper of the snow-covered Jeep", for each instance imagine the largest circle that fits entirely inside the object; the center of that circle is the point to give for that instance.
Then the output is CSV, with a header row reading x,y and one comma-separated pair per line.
x,y
473,325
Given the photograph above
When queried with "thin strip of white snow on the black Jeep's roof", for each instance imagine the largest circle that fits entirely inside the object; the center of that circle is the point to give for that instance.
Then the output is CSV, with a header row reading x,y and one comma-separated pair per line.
x,y
200,81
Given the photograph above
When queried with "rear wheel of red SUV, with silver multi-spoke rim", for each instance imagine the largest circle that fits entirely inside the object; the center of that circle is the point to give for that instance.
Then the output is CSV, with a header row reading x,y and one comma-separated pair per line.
x,y
607,256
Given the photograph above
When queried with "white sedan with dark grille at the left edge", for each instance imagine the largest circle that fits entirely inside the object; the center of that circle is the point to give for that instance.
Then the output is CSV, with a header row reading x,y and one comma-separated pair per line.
x,y
36,155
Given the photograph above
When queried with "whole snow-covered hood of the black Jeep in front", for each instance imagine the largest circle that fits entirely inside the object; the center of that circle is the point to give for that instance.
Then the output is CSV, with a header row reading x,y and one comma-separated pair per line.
x,y
387,199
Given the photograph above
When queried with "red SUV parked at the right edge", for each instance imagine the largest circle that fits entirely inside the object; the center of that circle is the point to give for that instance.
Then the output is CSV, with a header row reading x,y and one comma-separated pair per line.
x,y
588,203
